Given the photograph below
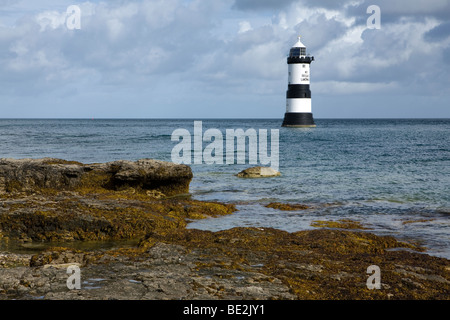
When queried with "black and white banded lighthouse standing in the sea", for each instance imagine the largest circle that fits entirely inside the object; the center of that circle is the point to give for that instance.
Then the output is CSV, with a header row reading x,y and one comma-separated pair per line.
x,y
298,96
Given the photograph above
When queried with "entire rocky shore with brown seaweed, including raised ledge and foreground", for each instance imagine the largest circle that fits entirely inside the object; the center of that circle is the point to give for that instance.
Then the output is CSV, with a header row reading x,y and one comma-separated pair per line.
x,y
124,224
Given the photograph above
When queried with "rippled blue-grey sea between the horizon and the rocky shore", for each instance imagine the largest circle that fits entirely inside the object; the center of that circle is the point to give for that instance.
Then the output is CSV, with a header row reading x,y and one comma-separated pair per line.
x,y
391,175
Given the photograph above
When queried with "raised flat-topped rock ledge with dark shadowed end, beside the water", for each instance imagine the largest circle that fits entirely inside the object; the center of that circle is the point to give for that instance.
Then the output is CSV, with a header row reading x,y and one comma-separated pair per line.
x,y
36,175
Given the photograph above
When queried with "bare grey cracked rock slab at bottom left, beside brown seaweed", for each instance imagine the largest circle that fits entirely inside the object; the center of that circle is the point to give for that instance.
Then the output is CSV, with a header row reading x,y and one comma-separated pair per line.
x,y
165,271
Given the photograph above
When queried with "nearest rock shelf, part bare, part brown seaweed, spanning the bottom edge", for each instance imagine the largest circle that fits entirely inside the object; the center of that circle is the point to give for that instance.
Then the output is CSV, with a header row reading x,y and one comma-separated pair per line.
x,y
261,264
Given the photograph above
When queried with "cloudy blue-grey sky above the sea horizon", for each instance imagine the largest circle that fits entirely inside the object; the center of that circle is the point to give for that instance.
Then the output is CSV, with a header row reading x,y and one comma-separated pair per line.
x,y
222,58
